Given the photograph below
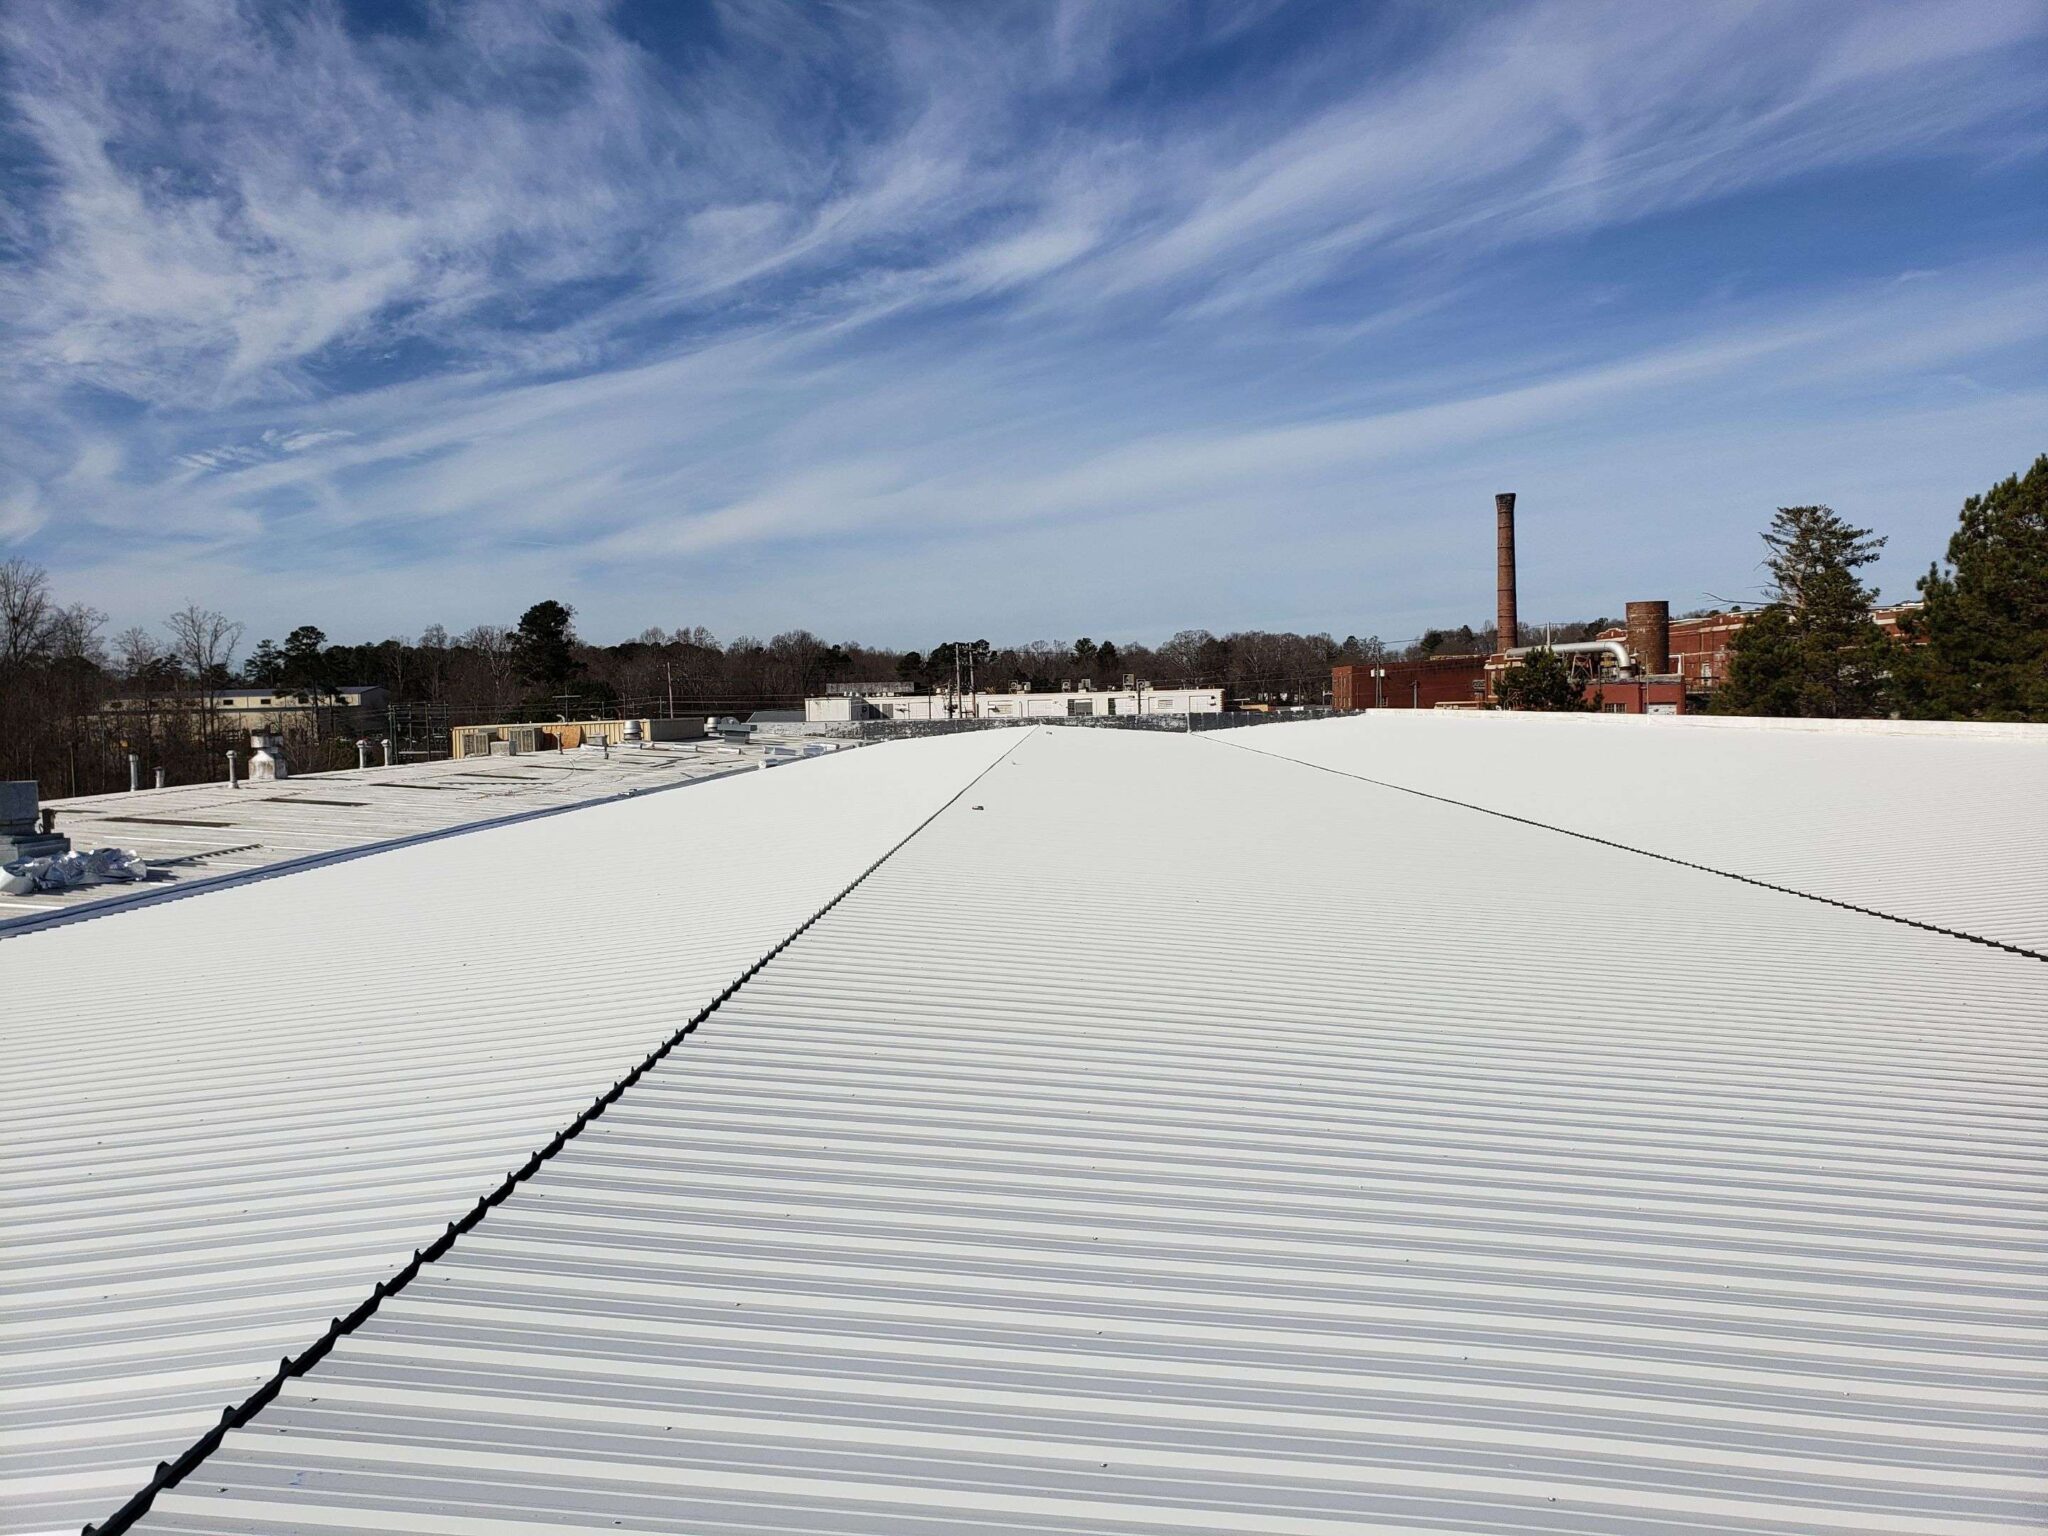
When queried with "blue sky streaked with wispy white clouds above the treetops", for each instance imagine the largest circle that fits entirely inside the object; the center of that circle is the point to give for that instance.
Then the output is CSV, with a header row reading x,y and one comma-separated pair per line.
x,y
1017,321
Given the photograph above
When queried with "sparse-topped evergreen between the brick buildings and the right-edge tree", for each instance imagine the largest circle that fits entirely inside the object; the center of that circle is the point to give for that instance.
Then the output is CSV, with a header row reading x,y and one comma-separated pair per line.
x,y
1814,650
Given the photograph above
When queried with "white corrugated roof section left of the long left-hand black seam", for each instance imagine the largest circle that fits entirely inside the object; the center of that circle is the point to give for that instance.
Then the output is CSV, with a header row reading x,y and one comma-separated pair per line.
x,y
228,1117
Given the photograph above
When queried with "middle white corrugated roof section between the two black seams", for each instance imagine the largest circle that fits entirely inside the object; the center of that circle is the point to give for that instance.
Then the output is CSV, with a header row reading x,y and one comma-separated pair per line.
x,y
1172,1138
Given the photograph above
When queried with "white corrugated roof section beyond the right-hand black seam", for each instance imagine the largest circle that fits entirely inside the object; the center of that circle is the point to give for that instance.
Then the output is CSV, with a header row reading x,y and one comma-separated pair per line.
x,y
1943,826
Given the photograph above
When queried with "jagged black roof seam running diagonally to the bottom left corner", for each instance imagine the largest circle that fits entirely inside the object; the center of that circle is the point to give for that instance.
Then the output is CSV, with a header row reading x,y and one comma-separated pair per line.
x,y
175,1471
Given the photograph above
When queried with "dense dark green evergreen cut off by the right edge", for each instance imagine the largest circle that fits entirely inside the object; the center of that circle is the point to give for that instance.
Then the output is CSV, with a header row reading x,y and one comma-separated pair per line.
x,y
1986,624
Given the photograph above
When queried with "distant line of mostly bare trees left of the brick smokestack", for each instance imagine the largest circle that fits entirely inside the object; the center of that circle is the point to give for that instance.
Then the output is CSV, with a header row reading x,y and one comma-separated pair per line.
x,y
77,701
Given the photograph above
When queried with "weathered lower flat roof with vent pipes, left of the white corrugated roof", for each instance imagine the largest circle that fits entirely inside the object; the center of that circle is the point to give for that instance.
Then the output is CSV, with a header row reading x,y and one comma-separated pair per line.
x,y
204,833
